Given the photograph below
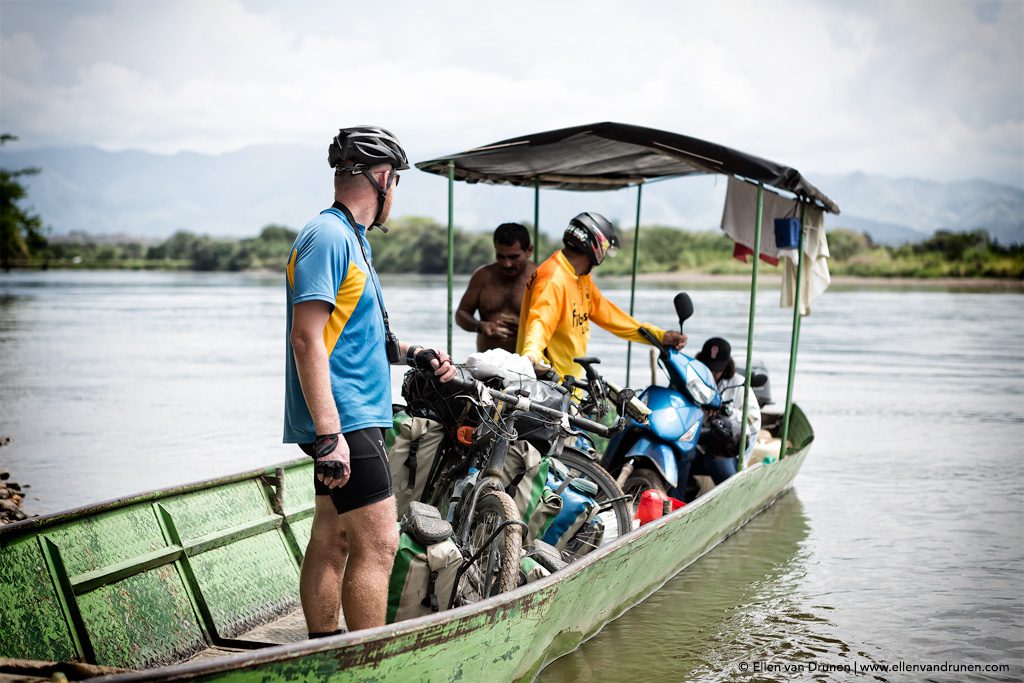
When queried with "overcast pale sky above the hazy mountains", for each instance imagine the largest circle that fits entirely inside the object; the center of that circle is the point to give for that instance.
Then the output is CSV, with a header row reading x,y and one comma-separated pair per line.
x,y
926,90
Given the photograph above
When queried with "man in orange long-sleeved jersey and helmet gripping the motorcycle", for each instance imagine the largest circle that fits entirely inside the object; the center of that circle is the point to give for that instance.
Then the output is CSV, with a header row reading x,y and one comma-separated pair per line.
x,y
562,302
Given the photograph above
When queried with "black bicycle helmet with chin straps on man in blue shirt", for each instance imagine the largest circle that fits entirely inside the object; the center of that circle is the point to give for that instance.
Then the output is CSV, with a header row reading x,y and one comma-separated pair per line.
x,y
359,149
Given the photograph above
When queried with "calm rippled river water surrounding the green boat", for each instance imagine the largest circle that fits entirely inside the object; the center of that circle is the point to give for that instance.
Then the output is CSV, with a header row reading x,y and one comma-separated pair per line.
x,y
902,544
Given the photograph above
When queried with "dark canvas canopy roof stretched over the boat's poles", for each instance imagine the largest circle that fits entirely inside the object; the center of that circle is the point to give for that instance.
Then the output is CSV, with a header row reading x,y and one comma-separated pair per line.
x,y
609,156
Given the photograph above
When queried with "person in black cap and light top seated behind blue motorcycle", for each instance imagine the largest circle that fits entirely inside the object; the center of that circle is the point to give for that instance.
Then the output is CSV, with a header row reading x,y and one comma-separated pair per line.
x,y
723,437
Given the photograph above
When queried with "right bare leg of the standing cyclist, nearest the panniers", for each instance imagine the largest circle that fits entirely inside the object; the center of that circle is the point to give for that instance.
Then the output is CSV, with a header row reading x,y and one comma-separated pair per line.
x,y
373,541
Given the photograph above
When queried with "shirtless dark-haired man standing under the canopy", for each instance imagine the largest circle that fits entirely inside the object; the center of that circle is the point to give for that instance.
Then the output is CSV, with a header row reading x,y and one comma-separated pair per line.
x,y
496,290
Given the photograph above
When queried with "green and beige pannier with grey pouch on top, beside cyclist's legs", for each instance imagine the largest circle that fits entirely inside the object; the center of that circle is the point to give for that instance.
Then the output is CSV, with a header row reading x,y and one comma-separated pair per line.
x,y
425,568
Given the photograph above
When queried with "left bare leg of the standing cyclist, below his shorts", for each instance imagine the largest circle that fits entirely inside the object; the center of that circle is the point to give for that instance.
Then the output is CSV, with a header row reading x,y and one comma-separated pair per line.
x,y
324,569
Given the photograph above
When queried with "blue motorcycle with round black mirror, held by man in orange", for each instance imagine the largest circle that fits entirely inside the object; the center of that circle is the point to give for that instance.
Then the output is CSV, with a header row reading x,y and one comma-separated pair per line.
x,y
659,455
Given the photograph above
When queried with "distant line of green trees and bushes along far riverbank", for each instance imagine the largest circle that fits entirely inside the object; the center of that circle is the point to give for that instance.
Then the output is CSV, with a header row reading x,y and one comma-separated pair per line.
x,y
420,246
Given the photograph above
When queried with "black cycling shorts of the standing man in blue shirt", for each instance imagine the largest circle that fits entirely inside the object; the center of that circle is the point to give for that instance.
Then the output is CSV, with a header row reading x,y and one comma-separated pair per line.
x,y
371,479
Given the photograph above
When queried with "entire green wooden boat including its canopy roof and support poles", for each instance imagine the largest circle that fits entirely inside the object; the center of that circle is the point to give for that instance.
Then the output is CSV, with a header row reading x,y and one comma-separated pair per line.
x,y
201,581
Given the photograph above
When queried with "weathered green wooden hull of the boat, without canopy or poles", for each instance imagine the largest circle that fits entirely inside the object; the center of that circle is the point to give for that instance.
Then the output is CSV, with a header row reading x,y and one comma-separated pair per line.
x,y
201,582
